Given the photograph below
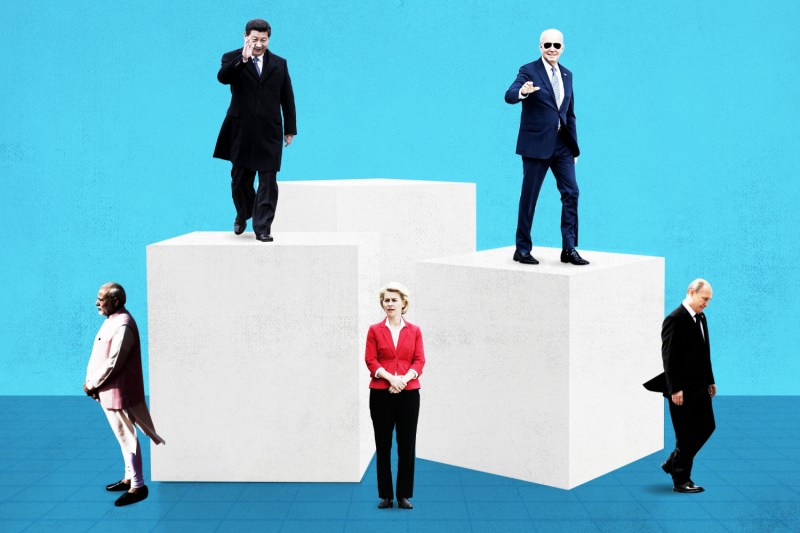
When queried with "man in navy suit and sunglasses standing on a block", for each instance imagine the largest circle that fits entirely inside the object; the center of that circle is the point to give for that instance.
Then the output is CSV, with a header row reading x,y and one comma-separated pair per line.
x,y
547,139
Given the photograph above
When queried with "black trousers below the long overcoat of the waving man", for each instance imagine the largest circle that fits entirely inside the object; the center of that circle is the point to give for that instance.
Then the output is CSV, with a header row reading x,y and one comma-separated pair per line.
x,y
259,205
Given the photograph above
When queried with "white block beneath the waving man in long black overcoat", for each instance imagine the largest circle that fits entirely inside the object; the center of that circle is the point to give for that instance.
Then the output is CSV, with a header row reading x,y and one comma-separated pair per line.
x,y
256,356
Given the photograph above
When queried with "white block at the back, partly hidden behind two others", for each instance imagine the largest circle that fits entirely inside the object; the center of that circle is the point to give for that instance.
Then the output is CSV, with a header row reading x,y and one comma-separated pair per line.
x,y
416,219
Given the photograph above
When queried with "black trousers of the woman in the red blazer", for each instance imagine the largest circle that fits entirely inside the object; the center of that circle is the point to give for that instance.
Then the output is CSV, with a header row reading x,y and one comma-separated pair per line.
x,y
390,411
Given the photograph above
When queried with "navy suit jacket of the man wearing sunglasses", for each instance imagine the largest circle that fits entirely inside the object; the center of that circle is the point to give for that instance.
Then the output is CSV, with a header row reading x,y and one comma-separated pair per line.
x,y
538,125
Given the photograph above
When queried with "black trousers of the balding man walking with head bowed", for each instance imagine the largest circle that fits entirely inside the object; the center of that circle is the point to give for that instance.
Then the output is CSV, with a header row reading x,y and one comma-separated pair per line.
x,y
694,423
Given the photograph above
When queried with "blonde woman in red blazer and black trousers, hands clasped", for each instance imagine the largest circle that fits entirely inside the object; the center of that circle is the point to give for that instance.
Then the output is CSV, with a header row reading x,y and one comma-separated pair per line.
x,y
395,358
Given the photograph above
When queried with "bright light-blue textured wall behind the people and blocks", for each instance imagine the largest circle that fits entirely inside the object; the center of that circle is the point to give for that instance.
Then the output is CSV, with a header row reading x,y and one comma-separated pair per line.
x,y
687,117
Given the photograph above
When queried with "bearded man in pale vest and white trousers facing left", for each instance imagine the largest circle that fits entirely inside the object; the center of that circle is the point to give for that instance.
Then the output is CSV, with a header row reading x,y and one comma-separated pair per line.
x,y
114,378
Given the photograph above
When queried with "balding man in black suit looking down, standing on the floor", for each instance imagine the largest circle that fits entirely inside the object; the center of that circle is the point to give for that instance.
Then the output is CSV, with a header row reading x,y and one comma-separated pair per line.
x,y
687,382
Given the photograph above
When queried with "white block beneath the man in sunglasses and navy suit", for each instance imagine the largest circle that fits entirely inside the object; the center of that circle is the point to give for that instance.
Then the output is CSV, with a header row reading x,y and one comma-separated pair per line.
x,y
536,372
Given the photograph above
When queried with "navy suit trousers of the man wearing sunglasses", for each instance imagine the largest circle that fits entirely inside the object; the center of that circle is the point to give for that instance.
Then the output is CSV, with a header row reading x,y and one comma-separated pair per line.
x,y
562,163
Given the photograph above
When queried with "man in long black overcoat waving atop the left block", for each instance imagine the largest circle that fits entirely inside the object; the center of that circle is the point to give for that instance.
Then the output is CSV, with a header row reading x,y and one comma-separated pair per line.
x,y
252,136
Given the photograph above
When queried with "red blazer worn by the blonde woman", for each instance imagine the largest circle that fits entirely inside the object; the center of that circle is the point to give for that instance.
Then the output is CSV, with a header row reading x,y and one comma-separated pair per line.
x,y
381,352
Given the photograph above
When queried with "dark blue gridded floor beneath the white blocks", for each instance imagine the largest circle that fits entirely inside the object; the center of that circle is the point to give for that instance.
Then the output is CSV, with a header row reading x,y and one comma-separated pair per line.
x,y
58,454
